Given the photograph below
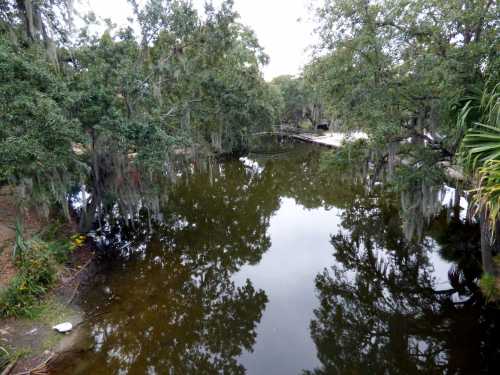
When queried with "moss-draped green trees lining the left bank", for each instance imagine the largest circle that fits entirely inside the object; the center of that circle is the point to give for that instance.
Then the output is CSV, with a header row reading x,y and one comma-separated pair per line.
x,y
111,111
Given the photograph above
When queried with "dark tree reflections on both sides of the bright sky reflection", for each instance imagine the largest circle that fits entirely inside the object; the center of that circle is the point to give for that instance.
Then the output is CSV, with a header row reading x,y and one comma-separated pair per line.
x,y
172,307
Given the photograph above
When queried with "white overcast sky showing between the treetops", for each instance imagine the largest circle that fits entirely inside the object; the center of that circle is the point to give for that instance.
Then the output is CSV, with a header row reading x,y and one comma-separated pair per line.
x,y
282,26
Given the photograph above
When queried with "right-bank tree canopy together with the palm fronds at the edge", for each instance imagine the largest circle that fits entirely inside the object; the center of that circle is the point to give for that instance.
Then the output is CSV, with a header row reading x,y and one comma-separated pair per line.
x,y
403,72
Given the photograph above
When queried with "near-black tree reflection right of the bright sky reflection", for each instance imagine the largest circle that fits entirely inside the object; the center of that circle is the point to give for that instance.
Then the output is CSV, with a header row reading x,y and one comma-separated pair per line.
x,y
380,311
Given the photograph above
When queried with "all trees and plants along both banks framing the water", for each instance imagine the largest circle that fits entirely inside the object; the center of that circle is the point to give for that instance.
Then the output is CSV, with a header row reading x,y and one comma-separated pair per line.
x,y
90,123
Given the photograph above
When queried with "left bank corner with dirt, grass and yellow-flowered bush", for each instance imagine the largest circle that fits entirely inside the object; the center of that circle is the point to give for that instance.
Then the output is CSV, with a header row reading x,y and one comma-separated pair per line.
x,y
44,266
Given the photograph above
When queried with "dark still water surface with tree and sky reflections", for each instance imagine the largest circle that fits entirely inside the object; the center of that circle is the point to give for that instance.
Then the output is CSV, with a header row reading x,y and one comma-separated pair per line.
x,y
267,266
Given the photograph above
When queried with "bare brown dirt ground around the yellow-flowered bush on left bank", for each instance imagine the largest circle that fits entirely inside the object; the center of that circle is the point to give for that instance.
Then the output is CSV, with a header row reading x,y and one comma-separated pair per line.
x,y
34,340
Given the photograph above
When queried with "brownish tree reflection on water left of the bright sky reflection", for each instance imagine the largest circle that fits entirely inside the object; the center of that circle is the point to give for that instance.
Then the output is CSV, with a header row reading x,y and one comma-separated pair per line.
x,y
173,308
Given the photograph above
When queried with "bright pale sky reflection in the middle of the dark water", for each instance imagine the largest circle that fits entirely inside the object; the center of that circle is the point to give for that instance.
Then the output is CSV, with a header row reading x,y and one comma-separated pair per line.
x,y
300,248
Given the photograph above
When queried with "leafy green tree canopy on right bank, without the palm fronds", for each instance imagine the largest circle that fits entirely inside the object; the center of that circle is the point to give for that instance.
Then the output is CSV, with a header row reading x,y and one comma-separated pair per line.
x,y
400,70
